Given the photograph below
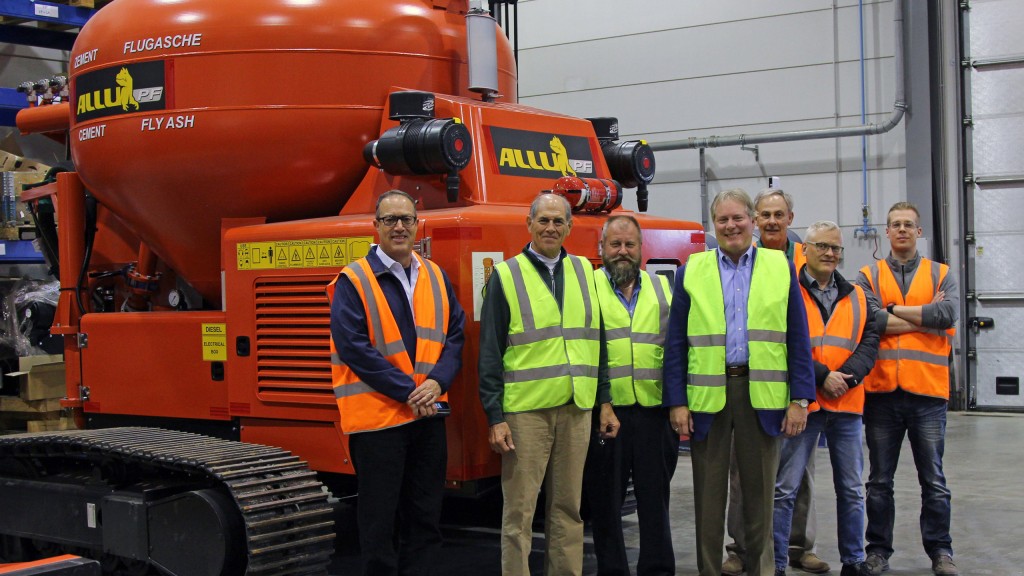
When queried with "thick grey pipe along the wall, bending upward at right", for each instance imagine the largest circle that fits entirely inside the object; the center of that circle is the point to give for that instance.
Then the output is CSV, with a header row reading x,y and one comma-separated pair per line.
x,y
845,132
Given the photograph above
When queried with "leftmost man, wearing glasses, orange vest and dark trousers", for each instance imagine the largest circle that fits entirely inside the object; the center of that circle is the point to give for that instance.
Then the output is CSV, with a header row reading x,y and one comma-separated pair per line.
x,y
397,339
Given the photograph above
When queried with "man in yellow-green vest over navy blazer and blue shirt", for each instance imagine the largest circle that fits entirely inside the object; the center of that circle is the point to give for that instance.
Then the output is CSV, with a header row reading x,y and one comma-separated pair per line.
x,y
738,364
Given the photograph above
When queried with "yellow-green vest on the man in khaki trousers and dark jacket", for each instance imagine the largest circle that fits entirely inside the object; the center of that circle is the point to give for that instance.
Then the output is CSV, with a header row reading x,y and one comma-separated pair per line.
x,y
551,355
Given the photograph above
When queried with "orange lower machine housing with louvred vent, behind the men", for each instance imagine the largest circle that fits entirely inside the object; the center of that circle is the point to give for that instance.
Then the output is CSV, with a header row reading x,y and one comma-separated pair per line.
x,y
275,276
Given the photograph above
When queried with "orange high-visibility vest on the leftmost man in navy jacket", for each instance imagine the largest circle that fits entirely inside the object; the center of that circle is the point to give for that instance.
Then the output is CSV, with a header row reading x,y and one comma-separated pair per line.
x,y
362,408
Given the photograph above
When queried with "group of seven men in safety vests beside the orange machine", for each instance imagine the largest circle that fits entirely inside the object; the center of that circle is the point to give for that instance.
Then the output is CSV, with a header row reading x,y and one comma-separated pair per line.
x,y
589,378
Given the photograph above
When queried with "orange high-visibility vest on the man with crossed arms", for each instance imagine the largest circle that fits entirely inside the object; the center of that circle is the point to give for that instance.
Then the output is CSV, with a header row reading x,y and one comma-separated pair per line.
x,y
917,362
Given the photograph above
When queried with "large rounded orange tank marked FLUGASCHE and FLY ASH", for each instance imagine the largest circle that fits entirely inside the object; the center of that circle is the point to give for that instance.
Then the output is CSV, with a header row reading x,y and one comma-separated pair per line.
x,y
202,111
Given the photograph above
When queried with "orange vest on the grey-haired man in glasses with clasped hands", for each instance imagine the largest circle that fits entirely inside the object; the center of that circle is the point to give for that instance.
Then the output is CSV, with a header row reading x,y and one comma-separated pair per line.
x,y
834,344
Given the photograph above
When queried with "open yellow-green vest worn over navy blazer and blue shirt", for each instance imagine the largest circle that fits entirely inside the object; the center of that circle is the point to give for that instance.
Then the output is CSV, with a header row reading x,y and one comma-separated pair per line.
x,y
766,317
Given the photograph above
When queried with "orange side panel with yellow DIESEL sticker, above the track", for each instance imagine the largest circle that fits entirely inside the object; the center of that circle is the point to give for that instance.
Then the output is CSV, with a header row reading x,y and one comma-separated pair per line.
x,y
152,364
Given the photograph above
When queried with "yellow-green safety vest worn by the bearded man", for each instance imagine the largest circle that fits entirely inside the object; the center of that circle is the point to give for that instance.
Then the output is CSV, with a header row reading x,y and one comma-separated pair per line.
x,y
636,346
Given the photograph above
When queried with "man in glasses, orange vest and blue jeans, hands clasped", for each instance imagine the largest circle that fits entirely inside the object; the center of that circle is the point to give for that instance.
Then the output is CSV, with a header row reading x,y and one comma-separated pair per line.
x,y
844,345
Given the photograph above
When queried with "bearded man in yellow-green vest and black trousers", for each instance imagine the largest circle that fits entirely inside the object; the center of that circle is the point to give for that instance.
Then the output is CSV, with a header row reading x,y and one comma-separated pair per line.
x,y
635,315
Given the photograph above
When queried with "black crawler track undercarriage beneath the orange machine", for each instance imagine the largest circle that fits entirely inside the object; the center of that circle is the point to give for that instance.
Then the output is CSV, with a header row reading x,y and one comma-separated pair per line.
x,y
147,501
